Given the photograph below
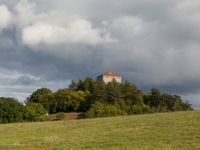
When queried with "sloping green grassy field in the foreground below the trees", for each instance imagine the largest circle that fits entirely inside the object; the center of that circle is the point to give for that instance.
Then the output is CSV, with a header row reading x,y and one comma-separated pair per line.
x,y
178,130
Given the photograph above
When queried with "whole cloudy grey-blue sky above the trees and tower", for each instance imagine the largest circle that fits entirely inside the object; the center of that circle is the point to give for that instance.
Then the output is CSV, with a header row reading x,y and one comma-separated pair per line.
x,y
48,43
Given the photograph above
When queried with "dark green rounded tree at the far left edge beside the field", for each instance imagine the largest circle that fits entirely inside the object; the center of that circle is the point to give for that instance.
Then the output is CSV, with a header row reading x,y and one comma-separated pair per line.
x,y
10,110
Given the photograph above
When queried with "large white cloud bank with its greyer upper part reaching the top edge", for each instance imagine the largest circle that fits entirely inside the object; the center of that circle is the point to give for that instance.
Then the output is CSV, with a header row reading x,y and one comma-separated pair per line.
x,y
50,29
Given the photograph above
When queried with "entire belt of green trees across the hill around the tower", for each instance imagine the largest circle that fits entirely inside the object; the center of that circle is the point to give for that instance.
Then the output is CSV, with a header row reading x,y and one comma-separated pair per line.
x,y
95,98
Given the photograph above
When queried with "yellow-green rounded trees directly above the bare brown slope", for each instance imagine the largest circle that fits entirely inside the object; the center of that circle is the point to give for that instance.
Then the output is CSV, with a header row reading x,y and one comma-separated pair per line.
x,y
65,100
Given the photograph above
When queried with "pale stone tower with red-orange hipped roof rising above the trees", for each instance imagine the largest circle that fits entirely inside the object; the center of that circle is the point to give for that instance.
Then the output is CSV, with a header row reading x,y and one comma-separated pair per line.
x,y
108,77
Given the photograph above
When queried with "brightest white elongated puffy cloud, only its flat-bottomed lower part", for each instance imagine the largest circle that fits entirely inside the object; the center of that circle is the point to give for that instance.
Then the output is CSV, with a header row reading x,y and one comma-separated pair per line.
x,y
80,31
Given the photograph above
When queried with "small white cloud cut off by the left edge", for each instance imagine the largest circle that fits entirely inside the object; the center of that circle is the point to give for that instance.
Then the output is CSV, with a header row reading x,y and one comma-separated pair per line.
x,y
5,17
